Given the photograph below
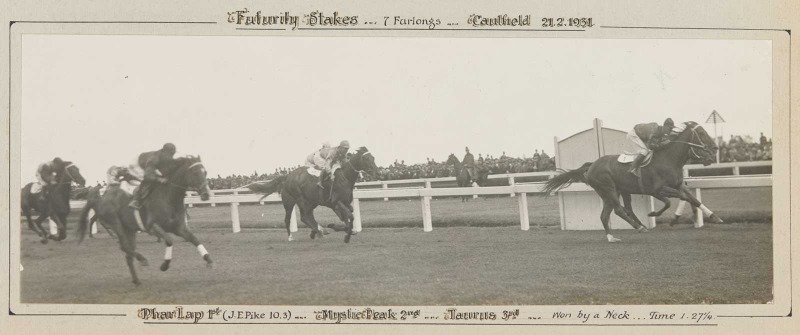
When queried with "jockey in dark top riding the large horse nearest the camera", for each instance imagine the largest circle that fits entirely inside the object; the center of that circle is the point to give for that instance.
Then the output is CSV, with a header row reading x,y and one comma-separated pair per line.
x,y
149,168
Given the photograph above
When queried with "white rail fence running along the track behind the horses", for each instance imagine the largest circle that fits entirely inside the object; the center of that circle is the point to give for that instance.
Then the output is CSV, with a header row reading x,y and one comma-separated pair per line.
x,y
423,190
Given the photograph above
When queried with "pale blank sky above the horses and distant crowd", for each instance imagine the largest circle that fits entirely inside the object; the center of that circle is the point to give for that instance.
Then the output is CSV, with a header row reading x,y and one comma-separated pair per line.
x,y
256,103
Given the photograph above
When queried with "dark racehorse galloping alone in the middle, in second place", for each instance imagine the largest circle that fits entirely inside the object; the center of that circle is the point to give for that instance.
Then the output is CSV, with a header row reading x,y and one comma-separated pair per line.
x,y
300,188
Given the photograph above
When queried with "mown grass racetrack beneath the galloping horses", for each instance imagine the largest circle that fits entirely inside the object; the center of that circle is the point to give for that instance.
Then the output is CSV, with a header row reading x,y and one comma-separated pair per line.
x,y
475,255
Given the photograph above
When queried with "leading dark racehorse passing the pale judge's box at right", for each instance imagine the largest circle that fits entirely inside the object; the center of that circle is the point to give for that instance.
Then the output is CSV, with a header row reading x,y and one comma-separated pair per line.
x,y
662,178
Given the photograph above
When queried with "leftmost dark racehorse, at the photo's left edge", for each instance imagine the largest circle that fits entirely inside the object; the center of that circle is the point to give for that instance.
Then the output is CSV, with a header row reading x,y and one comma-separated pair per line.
x,y
54,205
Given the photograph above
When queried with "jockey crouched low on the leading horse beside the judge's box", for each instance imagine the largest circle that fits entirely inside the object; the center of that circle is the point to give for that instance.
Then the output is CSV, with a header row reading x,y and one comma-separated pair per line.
x,y
646,137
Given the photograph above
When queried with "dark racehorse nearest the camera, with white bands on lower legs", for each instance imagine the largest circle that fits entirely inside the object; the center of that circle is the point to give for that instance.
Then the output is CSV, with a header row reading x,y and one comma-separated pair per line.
x,y
163,212
